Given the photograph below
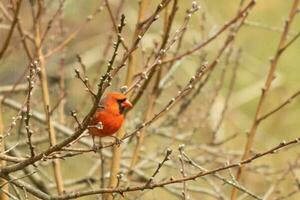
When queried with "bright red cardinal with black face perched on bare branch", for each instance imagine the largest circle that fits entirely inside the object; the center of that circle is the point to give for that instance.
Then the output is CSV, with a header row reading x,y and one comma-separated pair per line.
x,y
109,117
